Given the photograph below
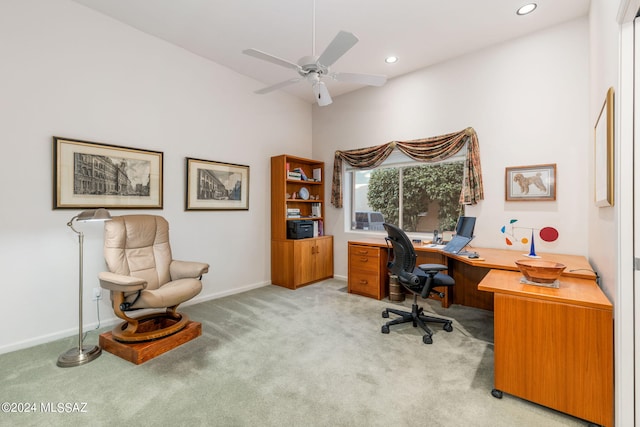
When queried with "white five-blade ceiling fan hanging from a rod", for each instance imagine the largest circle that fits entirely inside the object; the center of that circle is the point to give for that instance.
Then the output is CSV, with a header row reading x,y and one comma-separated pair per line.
x,y
314,68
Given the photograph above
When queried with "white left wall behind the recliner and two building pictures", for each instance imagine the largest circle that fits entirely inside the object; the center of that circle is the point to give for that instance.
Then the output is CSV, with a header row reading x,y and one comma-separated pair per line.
x,y
70,72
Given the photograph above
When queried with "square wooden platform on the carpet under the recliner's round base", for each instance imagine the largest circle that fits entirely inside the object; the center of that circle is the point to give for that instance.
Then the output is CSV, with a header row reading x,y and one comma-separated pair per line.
x,y
140,352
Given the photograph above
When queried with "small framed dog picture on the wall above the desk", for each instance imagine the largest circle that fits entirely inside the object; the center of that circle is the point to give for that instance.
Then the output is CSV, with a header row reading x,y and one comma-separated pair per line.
x,y
530,183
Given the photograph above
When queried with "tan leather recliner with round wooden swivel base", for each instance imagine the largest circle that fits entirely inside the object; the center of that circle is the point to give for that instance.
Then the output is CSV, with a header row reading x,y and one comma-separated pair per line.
x,y
142,274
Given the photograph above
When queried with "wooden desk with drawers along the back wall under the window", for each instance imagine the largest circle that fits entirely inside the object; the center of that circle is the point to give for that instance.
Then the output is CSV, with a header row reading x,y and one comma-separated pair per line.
x,y
466,272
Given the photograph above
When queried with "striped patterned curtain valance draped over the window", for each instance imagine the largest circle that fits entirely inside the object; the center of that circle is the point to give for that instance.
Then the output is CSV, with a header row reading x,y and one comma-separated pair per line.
x,y
432,149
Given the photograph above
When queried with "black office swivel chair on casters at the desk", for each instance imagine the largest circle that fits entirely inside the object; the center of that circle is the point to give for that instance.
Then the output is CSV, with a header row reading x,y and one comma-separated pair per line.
x,y
419,281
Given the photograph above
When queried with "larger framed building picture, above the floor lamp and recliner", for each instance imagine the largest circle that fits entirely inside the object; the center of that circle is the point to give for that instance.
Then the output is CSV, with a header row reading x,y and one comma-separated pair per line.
x,y
95,175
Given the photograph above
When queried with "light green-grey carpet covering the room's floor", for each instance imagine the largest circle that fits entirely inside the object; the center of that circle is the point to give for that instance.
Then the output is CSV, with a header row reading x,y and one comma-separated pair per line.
x,y
273,357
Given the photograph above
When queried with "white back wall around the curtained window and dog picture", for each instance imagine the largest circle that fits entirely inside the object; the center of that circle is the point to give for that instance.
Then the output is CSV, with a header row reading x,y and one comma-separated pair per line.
x,y
528,102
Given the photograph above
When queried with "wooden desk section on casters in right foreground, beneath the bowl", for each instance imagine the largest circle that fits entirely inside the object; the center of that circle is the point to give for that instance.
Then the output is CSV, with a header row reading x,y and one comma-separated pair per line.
x,y
554,347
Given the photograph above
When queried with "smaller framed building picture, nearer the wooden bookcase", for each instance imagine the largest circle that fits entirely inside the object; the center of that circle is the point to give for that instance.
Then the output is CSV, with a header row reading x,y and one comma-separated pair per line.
x,y
216,186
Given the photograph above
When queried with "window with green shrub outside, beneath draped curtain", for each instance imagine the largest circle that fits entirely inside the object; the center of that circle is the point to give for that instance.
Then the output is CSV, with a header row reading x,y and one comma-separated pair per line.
x,y
417,196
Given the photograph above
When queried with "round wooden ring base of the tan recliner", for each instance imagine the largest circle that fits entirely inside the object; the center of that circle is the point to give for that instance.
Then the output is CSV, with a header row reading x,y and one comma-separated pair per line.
x,y
150,327
